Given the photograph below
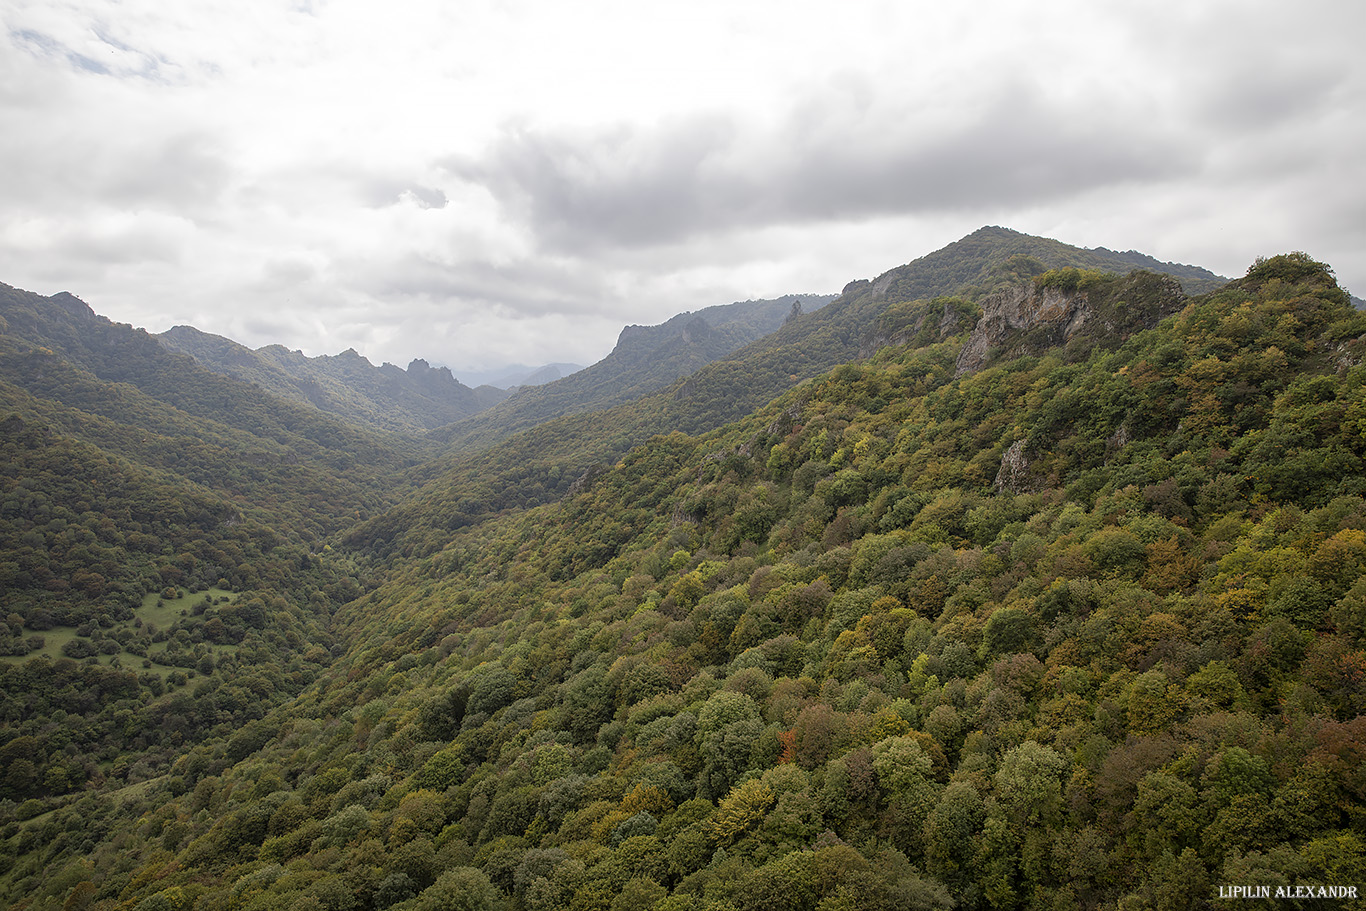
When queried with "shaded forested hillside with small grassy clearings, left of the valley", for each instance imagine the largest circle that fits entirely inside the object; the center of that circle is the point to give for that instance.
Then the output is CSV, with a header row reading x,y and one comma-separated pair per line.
x,y
165,565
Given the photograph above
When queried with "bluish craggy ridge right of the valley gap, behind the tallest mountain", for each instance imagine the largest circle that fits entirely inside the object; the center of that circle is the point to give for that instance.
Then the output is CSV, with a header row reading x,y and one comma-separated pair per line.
x,y
644,361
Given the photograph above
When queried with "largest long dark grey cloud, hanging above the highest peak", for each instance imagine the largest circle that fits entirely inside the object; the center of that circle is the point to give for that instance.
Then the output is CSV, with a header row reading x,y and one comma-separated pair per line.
x,y
834,158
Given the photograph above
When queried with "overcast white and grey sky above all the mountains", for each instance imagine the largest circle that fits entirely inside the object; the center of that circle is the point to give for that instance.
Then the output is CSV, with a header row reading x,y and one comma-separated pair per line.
x,y
480,184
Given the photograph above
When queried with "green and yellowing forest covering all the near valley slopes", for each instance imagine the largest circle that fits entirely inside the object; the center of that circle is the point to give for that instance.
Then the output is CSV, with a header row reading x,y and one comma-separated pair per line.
x,y
904,606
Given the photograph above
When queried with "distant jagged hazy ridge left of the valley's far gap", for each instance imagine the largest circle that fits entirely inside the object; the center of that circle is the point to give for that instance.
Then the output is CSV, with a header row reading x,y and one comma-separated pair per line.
x,y
349,386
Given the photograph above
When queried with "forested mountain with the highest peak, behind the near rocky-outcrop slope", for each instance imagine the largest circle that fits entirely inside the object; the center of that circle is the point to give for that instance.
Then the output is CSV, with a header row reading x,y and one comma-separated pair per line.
x,y
490,472
